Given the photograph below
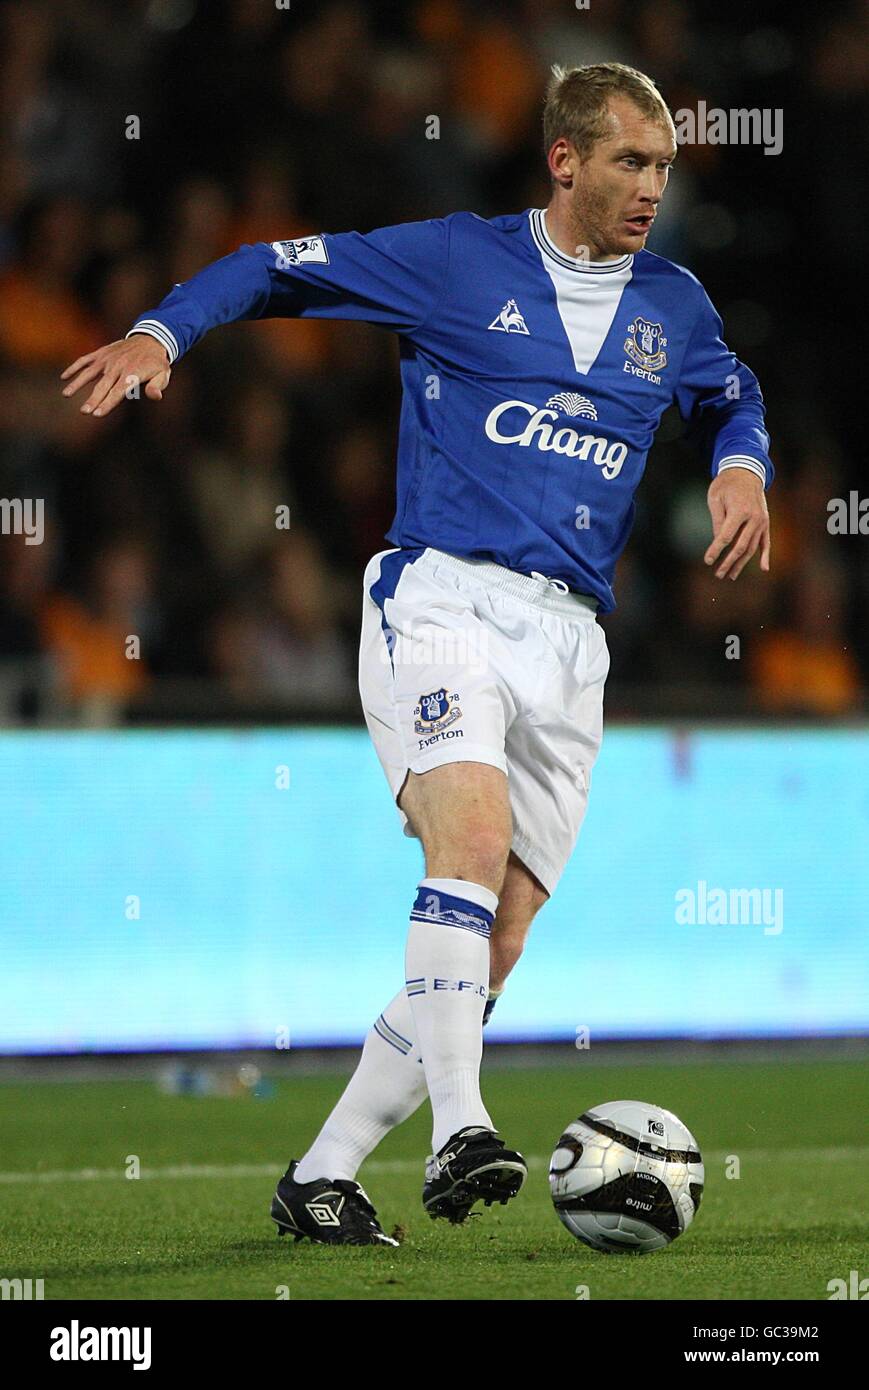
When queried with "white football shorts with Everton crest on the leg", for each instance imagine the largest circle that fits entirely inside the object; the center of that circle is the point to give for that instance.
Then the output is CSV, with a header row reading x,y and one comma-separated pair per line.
x,y
465,661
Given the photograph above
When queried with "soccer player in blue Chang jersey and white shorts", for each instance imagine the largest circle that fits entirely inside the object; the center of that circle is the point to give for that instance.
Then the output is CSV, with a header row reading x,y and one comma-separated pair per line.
x,y
539,352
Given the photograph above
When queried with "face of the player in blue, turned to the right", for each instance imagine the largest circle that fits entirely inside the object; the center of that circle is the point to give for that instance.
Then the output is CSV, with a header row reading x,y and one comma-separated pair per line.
x,y
617,190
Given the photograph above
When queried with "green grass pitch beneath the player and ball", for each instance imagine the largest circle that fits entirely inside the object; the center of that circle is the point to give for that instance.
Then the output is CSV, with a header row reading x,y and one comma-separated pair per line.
x,y
195,1225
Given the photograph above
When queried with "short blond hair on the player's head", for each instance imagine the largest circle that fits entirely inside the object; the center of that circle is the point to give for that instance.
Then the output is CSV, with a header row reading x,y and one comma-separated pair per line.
x,y
578,99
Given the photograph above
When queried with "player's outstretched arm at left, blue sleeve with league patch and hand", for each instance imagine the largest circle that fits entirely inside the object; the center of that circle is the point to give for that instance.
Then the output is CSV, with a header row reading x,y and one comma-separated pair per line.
x,y
394,277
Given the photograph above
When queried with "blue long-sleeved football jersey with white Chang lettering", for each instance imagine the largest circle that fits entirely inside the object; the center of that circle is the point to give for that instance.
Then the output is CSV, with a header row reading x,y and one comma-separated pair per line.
x,y
533,382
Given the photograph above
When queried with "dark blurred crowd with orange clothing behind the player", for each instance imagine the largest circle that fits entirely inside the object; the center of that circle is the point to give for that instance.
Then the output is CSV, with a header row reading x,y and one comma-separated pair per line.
x,y
259,123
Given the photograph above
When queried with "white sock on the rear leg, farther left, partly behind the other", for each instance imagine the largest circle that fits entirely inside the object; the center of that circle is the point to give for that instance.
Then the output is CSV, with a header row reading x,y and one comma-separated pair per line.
x,y
387,1088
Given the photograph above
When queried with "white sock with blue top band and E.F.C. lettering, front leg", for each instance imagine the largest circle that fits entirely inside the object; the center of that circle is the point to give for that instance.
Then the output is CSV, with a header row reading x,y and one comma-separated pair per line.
x,y
448,982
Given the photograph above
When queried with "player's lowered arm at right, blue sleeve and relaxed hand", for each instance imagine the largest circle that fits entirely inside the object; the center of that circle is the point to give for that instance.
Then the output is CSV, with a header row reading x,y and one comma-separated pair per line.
x,y
721,398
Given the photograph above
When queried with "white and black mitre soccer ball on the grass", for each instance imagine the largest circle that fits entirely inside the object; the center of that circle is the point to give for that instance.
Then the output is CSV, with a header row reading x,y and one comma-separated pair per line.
x,y
626,1178
